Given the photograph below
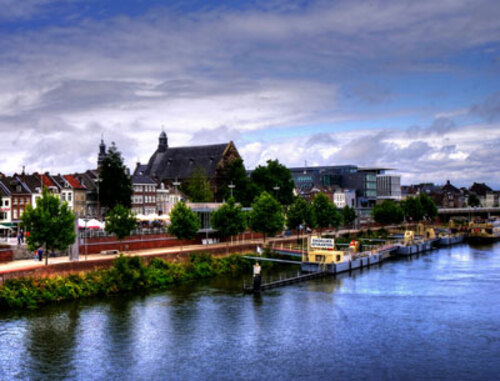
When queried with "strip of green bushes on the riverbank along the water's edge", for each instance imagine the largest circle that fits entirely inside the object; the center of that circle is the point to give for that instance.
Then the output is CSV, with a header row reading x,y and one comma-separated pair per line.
x,y
126,275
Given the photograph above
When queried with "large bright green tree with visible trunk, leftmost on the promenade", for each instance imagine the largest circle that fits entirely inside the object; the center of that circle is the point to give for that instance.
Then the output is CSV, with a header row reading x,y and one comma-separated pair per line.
x,y
51,224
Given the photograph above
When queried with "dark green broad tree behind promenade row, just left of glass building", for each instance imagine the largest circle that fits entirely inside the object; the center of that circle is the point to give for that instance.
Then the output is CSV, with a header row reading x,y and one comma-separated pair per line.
x,y
274,174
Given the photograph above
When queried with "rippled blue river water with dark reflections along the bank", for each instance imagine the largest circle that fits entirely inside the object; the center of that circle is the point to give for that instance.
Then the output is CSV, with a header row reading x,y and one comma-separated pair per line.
x,y
434,317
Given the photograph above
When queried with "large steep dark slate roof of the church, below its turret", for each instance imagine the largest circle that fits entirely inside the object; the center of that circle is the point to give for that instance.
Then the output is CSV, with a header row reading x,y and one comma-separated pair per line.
x,y
179,162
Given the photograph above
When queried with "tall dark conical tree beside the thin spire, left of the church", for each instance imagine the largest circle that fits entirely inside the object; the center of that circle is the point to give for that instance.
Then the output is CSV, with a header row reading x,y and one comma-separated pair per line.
x,y
115,185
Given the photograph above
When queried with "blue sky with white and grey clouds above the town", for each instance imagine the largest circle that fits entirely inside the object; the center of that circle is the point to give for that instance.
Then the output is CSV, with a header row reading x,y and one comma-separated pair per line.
x,y
409,85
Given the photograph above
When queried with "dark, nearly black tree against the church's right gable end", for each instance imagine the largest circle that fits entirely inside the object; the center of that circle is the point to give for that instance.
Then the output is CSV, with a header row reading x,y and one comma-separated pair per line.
x,y
234,173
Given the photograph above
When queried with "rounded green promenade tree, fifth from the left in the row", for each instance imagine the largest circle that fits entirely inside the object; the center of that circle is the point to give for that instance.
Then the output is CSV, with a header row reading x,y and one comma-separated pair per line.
x,y
267,215
